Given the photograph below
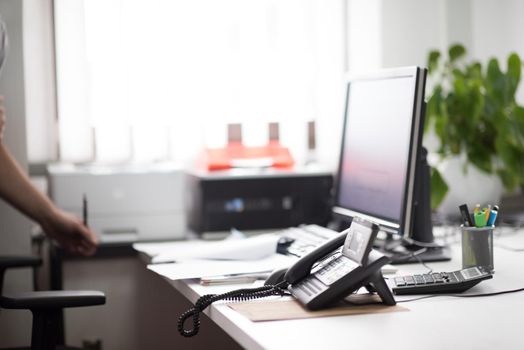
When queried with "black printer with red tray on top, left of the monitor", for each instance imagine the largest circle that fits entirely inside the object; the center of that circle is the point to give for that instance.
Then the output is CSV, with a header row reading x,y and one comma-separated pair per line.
x,y
258,198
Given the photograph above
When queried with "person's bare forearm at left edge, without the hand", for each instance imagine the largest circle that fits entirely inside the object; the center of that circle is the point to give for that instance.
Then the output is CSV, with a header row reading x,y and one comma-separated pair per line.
x,y
17,189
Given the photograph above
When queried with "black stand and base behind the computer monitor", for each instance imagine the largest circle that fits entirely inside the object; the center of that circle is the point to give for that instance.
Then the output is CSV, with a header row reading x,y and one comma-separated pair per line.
x,y
422,228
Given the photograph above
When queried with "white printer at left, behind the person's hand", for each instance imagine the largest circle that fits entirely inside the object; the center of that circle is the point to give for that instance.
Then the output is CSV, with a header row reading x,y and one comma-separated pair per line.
x,y
124,203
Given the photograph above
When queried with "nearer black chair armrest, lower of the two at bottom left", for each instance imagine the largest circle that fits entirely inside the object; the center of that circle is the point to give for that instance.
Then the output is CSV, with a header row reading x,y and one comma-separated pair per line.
x,y
52,299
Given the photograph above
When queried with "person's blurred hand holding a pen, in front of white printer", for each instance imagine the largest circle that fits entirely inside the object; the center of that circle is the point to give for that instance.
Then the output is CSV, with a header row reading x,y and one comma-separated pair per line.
x,y
70,233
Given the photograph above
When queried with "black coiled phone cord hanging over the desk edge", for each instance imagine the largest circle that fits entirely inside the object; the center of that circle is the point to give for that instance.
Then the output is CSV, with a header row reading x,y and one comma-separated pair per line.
x,y
236,295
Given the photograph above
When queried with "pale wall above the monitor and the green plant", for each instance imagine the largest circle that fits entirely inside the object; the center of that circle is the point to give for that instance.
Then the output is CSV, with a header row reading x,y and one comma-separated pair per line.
x,y
487,28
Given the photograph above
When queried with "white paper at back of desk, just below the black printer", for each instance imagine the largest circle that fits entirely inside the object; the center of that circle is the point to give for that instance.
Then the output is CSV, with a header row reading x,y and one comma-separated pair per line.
x,y
252,248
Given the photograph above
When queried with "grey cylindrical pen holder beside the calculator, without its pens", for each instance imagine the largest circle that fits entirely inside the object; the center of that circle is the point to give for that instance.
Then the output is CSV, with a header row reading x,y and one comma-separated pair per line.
x,y
477,247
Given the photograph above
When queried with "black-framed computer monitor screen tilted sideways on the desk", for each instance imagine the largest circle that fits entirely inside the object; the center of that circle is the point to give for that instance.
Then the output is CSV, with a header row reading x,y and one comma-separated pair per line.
x,y
380,141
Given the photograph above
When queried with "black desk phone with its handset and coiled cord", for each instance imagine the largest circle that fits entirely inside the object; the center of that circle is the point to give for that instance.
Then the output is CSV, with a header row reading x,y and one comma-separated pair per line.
x,y
319,279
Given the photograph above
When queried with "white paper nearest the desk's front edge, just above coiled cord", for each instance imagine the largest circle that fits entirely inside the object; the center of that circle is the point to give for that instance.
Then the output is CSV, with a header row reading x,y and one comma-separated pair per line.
x,y
205,268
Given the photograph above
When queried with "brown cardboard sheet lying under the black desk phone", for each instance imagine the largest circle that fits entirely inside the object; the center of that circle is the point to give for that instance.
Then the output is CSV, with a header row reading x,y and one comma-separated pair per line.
x,y
290,309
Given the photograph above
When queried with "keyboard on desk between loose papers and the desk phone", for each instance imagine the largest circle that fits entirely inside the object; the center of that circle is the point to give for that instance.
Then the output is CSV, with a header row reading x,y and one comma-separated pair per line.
x,y
299,241
